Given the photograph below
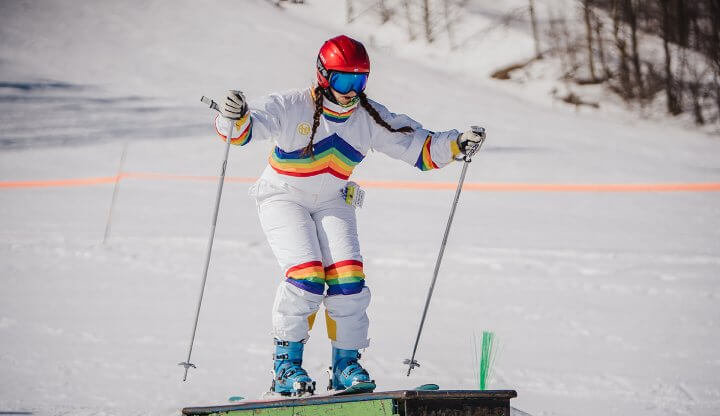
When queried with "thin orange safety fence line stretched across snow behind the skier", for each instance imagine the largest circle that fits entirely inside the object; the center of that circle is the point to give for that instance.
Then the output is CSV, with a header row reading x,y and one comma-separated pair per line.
x,y
410,185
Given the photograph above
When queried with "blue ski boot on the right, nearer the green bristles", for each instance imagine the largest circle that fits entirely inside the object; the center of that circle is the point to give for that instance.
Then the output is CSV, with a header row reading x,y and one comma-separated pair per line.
x,y
347,374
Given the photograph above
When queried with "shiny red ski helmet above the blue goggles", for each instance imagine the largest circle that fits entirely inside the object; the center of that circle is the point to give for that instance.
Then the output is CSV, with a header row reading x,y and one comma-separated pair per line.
x,y
342,54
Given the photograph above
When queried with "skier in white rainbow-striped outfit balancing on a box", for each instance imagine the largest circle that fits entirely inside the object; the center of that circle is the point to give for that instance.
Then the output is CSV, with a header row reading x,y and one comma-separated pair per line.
x,y
321,133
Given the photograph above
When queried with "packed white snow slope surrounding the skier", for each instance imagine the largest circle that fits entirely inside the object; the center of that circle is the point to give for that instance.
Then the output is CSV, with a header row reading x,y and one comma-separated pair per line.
x,y
605,302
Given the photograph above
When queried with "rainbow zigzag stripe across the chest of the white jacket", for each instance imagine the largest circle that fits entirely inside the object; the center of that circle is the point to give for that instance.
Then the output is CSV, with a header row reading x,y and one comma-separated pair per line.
x,y
333,155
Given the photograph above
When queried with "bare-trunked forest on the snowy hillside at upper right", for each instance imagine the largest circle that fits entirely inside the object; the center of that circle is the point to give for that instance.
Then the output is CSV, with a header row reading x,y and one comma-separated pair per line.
x,y
660,53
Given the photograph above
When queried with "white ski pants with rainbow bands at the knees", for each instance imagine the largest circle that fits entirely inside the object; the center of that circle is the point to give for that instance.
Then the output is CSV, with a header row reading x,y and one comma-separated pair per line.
x,y
316,244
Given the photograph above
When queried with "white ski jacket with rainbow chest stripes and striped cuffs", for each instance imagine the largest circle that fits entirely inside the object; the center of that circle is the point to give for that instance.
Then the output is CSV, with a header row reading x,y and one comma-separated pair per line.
x,y
343,139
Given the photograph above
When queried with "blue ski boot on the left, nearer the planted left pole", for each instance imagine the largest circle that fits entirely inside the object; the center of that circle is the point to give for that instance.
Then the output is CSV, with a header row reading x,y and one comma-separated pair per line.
x,y
289,378
